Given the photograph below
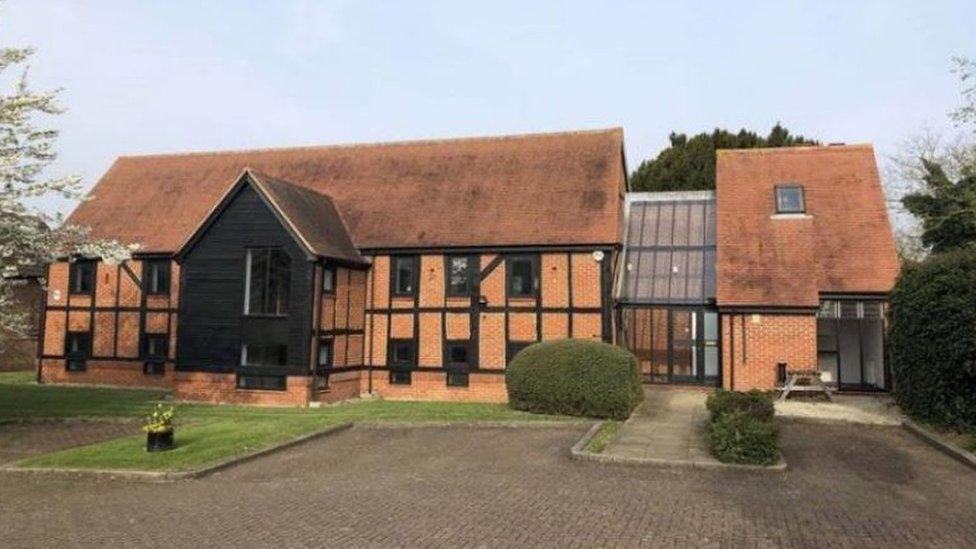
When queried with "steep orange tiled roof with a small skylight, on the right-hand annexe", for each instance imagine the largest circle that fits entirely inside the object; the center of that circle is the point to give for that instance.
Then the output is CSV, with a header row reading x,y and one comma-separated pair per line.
x,y
844,244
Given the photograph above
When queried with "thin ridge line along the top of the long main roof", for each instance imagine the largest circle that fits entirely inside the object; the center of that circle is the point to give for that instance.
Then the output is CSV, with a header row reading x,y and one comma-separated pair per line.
x,y
371,144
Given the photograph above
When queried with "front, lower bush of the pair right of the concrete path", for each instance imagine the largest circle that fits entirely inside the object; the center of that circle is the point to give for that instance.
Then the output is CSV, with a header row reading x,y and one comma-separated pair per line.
x,y
737,437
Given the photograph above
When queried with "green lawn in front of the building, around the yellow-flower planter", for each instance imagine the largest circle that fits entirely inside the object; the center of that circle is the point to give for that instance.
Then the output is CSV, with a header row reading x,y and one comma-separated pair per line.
x,y
206,433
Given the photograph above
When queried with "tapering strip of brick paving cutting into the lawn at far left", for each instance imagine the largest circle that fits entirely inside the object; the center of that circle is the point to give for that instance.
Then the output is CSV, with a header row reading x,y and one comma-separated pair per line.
x,y
20,440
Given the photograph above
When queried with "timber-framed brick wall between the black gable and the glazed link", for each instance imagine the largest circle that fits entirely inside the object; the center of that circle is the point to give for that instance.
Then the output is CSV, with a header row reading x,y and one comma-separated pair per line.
x,y
394,318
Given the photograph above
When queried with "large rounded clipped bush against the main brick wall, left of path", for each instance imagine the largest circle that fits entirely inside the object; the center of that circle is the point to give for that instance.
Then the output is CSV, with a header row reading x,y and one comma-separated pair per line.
x,y
574,377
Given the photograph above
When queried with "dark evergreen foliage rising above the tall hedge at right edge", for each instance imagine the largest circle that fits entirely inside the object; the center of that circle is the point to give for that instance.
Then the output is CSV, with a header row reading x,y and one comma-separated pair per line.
x,y
947,210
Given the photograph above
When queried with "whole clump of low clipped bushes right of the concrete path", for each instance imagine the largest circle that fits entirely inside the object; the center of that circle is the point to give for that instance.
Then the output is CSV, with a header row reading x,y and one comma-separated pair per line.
x,y
741,427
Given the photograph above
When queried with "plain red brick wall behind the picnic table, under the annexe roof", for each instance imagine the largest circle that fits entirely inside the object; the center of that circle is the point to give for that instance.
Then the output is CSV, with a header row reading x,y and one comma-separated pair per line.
x,y
753,344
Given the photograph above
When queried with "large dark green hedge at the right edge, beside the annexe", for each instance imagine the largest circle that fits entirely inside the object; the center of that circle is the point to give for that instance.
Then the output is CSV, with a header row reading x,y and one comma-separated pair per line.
x,y
933,339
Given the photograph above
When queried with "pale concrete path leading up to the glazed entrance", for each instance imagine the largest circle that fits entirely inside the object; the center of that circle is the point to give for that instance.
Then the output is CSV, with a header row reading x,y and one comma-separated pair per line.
x,y
667,426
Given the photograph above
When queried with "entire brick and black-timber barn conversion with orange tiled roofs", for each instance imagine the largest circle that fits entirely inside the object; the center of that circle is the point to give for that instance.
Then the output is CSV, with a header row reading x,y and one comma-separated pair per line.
x,y
417,270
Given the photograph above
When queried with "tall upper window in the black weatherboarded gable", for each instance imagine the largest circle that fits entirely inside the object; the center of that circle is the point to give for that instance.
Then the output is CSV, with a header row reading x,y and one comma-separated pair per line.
x,y
268,277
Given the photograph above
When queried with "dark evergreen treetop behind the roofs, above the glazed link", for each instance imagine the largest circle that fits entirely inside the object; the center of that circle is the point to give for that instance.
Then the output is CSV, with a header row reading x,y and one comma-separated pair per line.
x,y
689,164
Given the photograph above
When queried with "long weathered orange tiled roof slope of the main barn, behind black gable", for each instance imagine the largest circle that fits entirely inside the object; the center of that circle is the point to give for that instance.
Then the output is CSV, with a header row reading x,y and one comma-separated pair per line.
x,y
557,188
